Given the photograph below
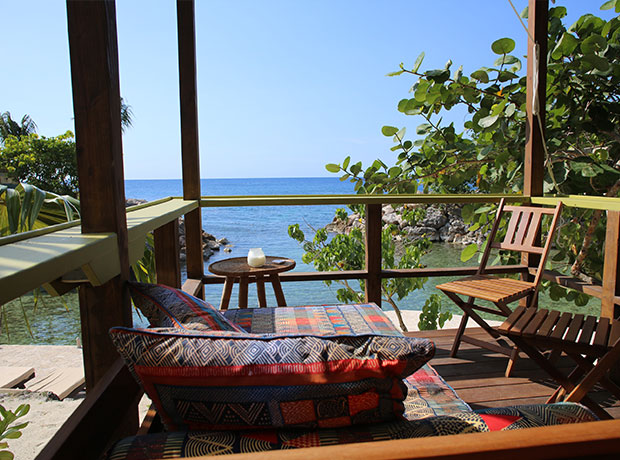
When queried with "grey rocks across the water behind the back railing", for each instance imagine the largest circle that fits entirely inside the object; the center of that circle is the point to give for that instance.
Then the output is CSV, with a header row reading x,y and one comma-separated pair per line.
x,y
442,223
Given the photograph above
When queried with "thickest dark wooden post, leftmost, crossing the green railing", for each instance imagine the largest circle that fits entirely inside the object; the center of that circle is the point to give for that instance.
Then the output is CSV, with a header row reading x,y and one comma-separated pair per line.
x,y
96,103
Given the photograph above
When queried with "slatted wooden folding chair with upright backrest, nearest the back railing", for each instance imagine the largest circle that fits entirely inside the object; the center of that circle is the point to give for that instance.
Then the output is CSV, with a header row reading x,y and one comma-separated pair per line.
x,y
522,235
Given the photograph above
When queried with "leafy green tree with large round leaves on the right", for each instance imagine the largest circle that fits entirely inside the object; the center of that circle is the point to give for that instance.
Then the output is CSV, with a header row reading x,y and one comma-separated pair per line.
x,y
582,132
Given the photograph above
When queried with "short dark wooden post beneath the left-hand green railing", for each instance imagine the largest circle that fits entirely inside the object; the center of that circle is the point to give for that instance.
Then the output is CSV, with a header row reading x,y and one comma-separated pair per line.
x,y
167,260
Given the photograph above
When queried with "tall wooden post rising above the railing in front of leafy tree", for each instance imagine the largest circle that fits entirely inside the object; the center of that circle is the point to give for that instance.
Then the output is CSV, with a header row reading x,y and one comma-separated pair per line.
x,y
534,138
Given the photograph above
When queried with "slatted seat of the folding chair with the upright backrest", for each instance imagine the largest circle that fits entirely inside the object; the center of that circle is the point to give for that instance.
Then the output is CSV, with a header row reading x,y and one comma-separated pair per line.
x,y
490,288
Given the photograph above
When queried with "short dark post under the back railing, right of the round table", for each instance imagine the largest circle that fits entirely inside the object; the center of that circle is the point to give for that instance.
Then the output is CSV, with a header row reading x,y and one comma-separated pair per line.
x,y
373,253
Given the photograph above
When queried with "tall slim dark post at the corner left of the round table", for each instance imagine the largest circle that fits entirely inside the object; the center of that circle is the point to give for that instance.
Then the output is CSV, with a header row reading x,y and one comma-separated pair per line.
x,y
189,137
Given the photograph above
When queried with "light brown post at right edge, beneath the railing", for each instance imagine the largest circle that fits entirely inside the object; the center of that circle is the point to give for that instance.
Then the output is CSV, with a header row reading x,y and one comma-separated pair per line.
x,y
611,267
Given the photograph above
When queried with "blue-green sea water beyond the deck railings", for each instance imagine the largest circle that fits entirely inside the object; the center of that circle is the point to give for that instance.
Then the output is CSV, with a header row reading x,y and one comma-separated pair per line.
x,y
266,227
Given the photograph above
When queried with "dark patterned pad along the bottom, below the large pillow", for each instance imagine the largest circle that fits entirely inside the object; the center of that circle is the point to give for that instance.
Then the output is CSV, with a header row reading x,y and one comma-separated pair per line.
x,y
196,443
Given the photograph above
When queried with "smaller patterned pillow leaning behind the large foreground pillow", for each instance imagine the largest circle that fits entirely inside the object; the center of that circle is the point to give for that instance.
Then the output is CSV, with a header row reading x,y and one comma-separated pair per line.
x,y
169,307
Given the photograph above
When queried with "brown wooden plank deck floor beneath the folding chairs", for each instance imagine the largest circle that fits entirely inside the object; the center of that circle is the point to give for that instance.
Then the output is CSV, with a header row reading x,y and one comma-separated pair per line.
x,y
477,375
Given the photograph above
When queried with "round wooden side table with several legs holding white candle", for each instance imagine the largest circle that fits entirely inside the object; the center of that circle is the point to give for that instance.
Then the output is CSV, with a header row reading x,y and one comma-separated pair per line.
x,y
237,268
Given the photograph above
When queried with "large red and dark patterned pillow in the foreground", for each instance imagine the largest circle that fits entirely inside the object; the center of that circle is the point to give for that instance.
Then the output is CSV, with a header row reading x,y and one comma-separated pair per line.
x,y
228,380
